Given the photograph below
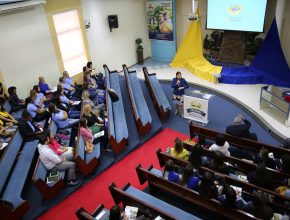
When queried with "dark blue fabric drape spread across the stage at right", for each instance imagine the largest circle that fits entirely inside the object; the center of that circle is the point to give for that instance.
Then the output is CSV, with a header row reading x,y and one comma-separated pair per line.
x,y
269,66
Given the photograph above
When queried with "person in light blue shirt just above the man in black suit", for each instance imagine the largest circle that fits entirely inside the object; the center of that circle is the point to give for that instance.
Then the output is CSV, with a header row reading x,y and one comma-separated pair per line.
x,y
37,113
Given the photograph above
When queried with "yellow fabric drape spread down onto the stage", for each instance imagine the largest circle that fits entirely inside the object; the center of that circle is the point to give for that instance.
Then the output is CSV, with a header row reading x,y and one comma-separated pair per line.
x,y
190,55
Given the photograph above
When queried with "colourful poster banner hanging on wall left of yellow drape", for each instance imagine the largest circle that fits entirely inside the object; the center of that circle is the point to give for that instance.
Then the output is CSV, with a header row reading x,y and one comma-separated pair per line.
x,y
160,22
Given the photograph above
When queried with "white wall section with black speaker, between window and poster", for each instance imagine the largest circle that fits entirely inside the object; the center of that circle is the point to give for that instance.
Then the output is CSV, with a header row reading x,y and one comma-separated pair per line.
x,y
117,47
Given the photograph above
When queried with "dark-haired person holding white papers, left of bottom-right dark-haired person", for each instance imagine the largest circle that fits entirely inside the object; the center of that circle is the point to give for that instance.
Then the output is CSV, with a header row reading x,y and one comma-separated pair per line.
x,y
230,199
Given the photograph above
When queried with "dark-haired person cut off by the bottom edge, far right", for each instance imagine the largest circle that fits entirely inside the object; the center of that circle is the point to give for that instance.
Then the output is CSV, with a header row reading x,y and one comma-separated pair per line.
x,y
261,208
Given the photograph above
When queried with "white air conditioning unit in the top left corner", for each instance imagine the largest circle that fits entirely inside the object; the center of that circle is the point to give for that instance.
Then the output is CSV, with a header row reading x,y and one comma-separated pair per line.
x,y
11,6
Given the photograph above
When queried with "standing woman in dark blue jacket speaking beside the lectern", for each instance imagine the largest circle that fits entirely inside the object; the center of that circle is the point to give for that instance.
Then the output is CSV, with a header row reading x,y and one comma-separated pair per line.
x,y
179,86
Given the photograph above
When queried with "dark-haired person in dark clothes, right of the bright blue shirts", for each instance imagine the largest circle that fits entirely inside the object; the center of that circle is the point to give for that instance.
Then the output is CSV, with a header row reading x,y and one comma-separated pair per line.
x,y
206,186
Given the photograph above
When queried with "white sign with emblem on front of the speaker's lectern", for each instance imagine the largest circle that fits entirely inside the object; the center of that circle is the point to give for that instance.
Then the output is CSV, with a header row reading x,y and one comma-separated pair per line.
x,y
196,109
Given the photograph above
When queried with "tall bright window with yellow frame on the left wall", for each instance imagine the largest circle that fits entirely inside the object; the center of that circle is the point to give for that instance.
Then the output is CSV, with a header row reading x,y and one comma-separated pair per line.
x,y
70,41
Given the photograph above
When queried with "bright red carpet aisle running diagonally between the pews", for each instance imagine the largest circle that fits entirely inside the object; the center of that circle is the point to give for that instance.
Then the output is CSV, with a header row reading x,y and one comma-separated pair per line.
x,y
95,192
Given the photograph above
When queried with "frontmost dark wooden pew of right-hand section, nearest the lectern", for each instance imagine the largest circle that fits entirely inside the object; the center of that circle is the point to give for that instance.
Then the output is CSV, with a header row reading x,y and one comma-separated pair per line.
x,y
242,143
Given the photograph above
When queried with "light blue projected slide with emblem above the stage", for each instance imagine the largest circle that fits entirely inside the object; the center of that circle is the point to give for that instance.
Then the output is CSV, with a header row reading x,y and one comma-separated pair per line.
x,y
239,15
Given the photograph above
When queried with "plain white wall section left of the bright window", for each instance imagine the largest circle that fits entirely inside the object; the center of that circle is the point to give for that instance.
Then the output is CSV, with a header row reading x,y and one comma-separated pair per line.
x,y
26,50
